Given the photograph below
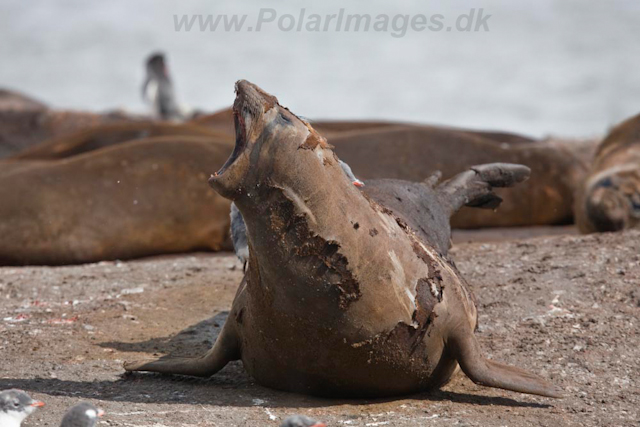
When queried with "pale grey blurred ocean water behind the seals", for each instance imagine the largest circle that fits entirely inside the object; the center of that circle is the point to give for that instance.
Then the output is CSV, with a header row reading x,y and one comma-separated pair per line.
x,y
561,67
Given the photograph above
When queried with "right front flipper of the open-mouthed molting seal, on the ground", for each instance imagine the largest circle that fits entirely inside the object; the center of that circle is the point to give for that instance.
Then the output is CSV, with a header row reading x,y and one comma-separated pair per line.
x,y
465,348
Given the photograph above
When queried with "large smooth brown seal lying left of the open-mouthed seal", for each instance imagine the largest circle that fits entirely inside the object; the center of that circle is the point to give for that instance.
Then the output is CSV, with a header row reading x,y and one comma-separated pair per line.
x,y
137,199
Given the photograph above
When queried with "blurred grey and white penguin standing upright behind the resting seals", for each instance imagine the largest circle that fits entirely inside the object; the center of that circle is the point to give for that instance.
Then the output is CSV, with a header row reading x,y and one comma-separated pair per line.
x,y
157,89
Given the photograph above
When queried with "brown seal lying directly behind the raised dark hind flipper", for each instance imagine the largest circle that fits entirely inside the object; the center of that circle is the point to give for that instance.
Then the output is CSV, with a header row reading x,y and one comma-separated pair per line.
x,y
414,153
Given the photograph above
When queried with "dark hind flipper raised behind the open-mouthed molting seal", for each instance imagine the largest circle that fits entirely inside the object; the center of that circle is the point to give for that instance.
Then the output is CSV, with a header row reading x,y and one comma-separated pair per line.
x,y
474,187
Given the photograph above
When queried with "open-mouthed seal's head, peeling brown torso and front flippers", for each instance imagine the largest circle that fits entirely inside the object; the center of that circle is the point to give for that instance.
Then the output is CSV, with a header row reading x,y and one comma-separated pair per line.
x,y
370,309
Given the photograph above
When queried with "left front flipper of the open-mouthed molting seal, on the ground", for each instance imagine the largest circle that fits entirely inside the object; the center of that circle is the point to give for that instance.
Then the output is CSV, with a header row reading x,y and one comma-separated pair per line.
x,y
223,351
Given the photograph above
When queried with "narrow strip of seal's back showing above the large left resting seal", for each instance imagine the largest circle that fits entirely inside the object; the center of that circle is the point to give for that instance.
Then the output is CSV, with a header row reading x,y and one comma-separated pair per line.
x,y
102,136
